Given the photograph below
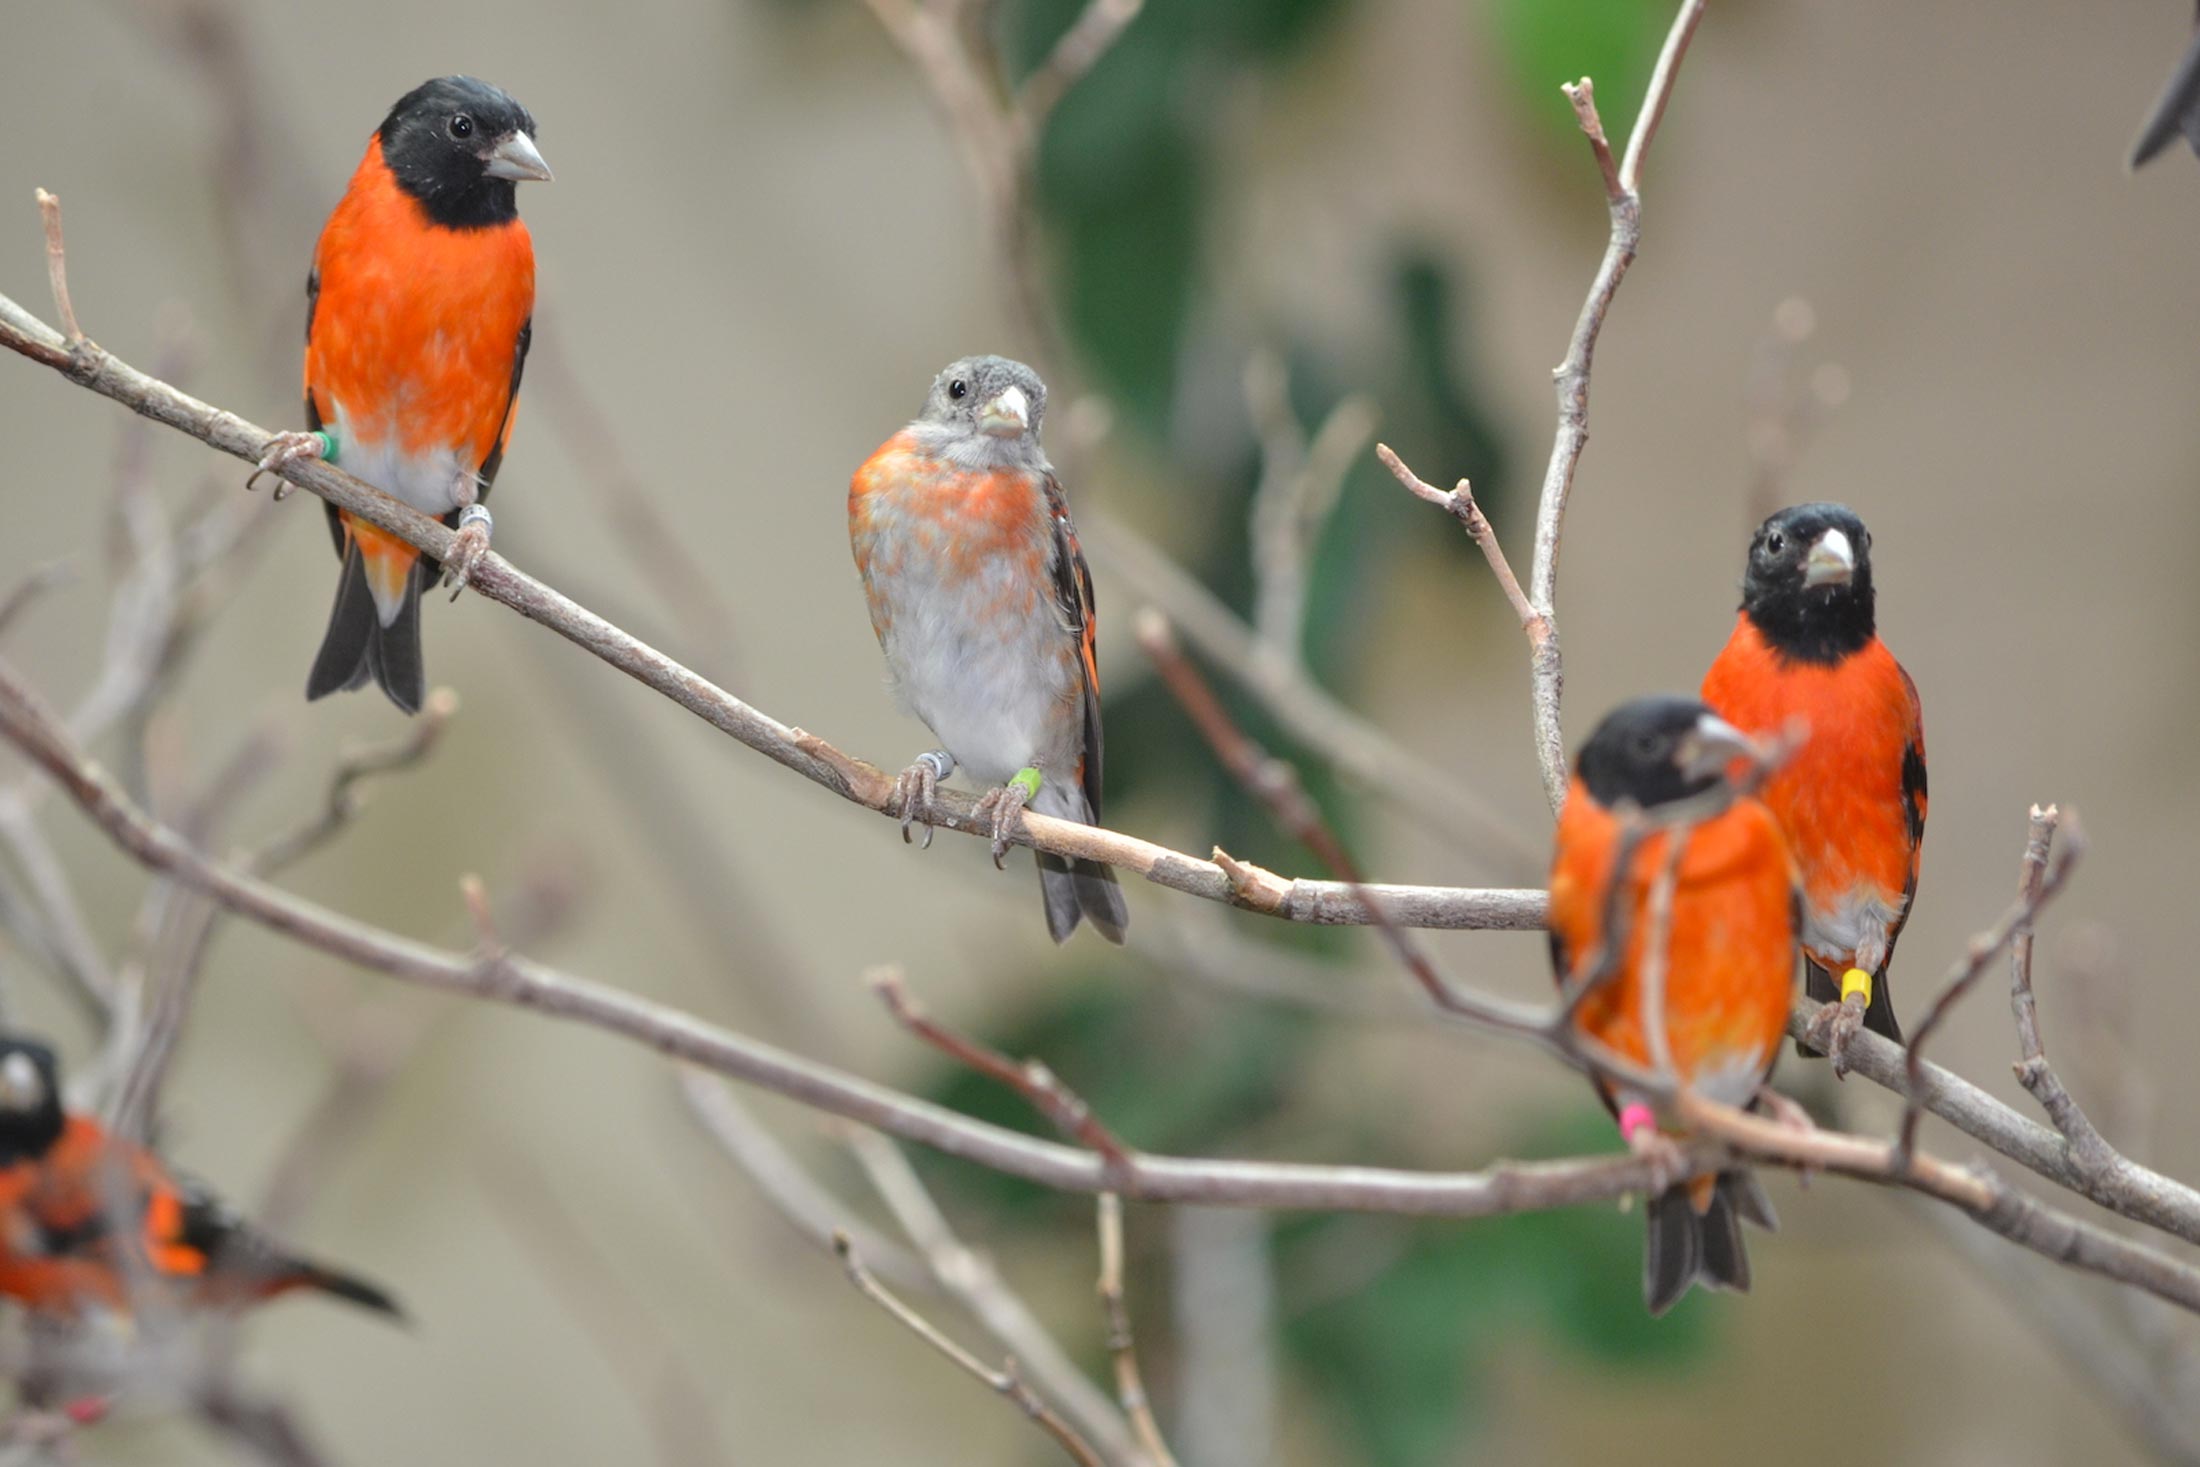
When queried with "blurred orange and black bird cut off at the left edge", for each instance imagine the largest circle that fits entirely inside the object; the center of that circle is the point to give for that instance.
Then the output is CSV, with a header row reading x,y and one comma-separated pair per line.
x,y
89,1220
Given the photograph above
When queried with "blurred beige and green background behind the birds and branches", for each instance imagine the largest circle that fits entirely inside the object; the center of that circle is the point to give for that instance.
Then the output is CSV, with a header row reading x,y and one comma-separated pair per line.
x,y
1891,258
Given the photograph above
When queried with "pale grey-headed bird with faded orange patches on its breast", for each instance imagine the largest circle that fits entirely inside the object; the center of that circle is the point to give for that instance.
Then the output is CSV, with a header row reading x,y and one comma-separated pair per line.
x,y
984,610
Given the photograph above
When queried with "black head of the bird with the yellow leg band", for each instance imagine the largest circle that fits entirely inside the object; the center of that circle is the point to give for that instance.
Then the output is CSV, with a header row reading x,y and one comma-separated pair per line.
x,y
1809,584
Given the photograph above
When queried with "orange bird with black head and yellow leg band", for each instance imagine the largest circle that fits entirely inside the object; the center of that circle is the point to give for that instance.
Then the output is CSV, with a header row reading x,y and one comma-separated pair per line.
x,y
1853,799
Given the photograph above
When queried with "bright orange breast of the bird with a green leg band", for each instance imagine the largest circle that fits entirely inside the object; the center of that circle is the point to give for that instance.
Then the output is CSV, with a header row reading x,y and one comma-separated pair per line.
x,y
417,327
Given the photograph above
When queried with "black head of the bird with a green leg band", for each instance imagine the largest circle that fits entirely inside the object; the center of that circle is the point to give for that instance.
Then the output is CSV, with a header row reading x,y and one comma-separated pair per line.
x,y
461,148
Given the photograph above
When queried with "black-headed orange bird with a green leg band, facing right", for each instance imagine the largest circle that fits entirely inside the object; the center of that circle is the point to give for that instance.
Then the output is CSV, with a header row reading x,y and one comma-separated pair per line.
x,y
417,329
